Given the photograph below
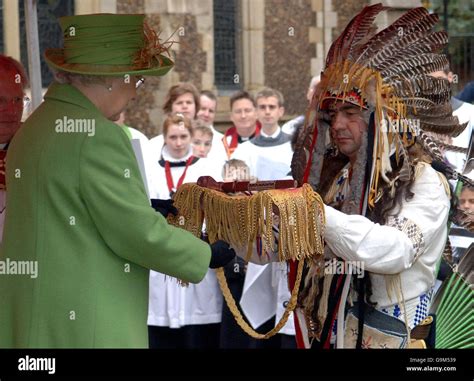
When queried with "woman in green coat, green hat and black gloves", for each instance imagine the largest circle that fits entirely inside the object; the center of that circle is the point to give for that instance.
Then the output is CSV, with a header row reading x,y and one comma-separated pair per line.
x,y
77,207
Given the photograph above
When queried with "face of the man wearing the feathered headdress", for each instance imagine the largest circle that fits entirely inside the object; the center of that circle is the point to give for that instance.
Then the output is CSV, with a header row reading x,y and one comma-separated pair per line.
x,y
347,128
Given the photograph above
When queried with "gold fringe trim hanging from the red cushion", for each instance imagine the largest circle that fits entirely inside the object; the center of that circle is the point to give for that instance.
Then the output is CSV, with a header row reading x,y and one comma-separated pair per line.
x,y
239,220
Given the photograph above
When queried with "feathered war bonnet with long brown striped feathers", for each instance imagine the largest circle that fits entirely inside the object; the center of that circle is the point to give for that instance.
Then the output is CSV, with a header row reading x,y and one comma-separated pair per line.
x,y
387,74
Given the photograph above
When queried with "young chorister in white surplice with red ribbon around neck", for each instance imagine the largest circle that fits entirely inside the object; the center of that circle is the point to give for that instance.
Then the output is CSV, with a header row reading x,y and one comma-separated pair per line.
x,y
182,317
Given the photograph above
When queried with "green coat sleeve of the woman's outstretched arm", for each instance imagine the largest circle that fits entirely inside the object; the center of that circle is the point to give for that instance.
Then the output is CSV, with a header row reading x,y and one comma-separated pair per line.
x,y
113,192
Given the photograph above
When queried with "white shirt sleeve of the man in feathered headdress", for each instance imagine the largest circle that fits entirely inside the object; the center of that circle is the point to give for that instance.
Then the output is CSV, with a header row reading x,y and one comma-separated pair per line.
x,y
386,249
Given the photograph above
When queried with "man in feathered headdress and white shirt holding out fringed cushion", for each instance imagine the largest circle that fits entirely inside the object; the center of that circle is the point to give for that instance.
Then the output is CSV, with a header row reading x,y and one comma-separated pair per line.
x,y
365,148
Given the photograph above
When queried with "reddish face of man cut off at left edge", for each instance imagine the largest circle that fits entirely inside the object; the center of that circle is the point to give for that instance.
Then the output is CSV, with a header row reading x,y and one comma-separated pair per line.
x,y
11,104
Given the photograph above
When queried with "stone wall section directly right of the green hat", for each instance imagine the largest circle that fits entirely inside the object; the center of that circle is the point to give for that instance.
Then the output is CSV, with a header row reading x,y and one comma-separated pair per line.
x,y
189,24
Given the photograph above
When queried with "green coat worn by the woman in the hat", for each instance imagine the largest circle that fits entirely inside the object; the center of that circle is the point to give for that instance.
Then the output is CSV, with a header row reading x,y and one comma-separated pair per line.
x,y
77,206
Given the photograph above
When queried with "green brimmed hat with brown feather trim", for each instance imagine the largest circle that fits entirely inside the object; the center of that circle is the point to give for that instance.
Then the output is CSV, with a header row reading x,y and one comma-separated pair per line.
x,y
109,45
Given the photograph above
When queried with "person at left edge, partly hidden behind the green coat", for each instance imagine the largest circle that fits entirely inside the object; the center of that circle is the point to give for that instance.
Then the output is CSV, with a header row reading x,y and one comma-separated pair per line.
x,y
13,81
